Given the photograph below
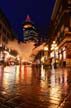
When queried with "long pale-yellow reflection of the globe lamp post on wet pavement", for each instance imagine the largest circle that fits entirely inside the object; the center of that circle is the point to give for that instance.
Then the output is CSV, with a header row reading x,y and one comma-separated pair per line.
x,y
55,92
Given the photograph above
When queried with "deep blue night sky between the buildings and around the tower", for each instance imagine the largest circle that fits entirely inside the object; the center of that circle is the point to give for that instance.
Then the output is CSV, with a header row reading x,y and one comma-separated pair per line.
x,y
39,11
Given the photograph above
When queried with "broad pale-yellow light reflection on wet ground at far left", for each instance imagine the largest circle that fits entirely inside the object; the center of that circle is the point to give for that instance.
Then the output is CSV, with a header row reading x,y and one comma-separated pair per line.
x,y
9,78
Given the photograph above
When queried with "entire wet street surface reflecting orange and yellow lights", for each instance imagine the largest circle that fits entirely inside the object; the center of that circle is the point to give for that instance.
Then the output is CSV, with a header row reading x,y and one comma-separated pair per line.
x,y
28,86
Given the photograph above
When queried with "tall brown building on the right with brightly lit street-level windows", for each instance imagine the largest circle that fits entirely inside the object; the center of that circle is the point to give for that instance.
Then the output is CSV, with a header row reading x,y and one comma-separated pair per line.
x,y
60,30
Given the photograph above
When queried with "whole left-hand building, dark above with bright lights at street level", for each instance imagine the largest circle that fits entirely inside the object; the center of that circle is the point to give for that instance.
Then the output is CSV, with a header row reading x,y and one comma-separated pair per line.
x,y
6,34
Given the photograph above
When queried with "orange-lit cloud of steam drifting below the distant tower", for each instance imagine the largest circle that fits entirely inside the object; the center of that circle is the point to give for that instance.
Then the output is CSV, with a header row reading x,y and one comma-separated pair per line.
x,y
23,48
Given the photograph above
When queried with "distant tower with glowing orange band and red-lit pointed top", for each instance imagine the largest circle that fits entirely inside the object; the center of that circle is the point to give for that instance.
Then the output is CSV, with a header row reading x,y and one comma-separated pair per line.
x,y
29,31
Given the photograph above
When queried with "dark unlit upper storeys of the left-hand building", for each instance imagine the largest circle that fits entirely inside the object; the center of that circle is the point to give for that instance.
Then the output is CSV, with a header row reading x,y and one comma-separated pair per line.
x,y
6,32
